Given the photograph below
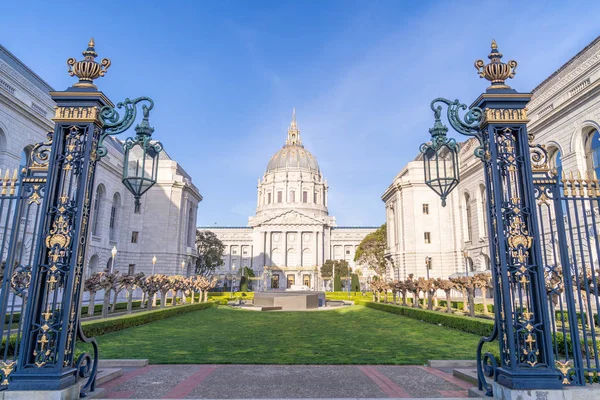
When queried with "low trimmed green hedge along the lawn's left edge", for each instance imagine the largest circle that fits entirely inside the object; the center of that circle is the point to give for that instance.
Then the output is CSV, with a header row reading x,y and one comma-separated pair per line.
x,y
102,326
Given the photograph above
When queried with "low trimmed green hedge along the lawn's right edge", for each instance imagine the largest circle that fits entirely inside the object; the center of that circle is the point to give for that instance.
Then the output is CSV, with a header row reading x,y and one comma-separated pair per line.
x,y
477,326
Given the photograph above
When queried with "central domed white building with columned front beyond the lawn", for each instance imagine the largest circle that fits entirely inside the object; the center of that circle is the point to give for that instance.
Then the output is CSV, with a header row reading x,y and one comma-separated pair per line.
x,y
291,235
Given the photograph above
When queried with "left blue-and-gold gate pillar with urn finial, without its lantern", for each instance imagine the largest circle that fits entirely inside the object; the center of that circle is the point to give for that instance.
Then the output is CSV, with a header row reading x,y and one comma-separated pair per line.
x,y
46,358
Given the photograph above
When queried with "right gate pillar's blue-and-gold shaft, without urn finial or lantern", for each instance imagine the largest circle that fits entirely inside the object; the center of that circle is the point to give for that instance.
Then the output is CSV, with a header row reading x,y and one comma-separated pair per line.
x,y
524,332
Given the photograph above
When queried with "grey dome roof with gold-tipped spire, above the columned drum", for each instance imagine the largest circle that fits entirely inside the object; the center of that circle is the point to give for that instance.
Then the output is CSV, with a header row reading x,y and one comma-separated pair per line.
x,y
293,154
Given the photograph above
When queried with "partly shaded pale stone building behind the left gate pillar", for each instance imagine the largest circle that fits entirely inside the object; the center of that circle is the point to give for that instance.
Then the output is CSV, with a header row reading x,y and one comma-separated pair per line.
x,y
164,224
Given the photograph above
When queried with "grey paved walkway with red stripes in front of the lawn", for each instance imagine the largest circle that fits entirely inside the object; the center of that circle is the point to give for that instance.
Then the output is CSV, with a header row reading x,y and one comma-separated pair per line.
x,y
283,381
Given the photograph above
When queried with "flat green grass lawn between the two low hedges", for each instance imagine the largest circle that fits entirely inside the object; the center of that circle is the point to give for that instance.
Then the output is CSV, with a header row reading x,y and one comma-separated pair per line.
x,y
356,335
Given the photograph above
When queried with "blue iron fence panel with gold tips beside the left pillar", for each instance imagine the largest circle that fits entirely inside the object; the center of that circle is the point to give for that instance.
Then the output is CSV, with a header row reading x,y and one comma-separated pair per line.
x,y
21,198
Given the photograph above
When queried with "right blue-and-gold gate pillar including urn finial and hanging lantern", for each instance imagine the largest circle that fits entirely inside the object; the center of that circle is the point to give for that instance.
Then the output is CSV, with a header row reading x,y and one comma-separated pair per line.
x,y
498,121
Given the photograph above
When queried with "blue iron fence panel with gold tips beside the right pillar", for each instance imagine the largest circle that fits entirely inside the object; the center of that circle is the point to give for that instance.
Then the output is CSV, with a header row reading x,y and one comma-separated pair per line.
x,y
568,211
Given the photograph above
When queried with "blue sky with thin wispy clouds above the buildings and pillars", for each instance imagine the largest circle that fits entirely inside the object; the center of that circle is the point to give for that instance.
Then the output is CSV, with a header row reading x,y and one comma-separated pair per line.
x,y
225,75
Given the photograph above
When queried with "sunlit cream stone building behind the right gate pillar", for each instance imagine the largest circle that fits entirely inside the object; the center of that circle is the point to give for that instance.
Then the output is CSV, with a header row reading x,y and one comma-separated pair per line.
x,y
564,114
